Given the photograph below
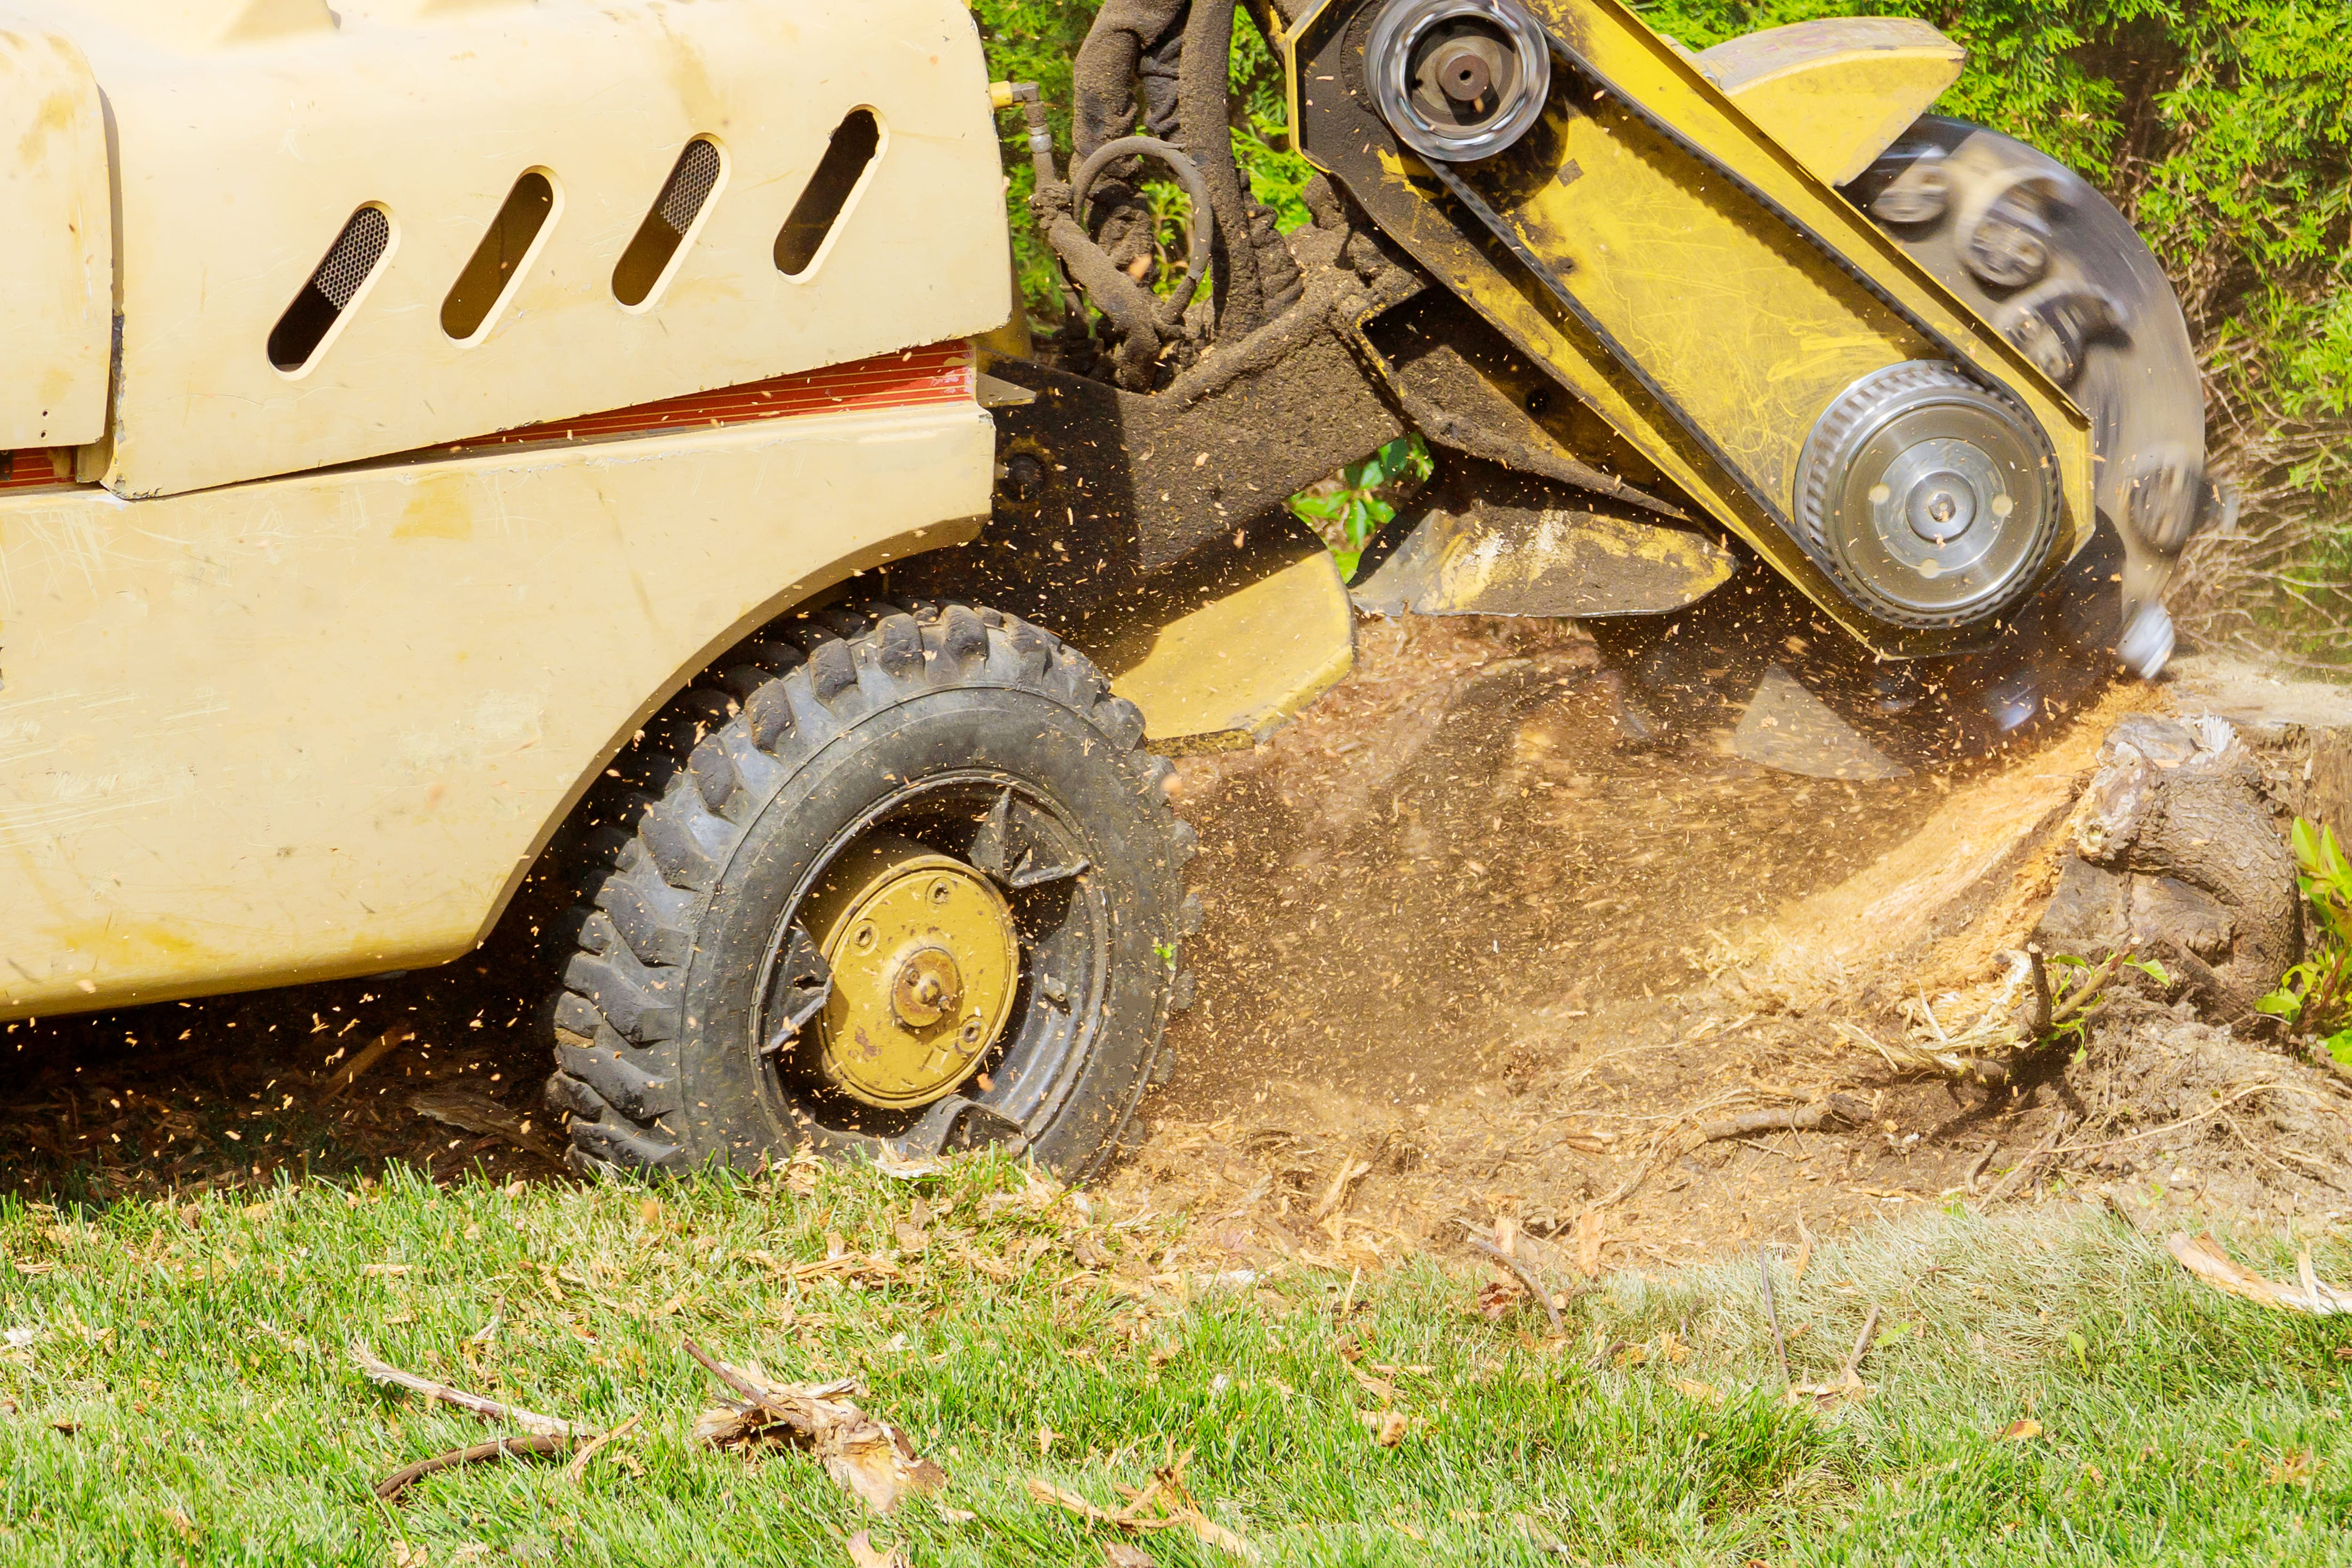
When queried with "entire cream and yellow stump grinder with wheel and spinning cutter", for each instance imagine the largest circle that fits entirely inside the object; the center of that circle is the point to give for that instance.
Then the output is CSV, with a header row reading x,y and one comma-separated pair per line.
x,y
582,464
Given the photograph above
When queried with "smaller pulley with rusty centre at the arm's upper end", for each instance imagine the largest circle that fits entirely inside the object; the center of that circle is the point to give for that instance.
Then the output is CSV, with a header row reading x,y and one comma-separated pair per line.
x,y
1459,79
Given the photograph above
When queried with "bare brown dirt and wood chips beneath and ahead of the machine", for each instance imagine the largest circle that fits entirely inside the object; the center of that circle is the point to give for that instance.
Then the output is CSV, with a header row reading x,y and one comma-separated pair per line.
x,y
1471,960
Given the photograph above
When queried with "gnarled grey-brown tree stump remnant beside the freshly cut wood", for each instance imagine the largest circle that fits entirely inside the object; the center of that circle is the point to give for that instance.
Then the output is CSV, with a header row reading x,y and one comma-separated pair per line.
x,y
2177,859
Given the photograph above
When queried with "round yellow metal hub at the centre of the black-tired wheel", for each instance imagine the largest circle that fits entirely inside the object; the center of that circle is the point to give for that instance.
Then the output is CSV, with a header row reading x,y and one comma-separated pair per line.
x,y
926,963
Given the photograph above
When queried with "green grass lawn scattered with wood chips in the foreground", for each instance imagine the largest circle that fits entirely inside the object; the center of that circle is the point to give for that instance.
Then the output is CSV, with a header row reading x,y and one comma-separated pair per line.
x,y
178,1388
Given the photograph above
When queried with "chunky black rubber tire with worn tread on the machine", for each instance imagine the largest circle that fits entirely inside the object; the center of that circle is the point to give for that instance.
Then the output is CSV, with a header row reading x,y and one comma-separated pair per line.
x,y
744,789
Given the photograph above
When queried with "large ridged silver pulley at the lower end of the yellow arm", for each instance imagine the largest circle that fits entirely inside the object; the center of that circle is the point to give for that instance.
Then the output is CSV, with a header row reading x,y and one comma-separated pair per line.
x,y
1927,497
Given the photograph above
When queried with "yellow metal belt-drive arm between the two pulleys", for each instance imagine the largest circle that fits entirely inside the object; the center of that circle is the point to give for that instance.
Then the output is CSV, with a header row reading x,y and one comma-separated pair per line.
x,y
1730,276
